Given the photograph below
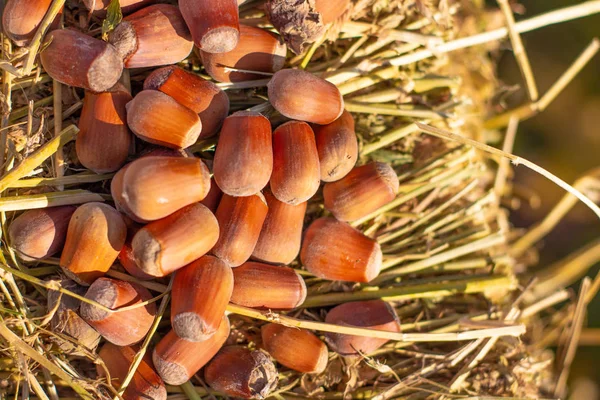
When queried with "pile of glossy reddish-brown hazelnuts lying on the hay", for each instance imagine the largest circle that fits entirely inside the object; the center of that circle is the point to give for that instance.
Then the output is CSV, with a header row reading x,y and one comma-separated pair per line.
x,y
226,238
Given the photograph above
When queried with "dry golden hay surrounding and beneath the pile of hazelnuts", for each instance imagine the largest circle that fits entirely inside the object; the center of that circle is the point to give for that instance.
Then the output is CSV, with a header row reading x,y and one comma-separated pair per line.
x,y
471,327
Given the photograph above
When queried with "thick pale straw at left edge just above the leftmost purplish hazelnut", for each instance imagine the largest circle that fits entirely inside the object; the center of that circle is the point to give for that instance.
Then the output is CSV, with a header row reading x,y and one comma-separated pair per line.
x,y
43,200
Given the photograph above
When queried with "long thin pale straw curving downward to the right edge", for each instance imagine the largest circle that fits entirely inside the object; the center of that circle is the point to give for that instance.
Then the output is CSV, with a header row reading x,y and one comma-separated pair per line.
x,y
515,159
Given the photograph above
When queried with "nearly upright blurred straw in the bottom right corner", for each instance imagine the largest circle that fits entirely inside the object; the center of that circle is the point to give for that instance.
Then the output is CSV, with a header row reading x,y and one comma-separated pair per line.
x,y
574,334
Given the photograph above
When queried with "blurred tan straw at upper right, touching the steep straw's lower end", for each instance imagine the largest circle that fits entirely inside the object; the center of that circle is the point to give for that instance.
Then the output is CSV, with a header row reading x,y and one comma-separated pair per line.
x,y
529,110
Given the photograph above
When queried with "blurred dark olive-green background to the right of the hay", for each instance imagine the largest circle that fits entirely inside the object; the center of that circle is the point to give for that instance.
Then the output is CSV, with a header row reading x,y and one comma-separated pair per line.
x,y
565,139
